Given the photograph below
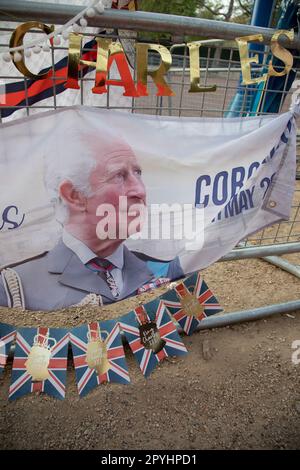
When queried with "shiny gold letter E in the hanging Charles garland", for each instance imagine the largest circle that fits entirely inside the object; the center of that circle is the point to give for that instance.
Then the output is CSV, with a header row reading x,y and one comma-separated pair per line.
x,y
246,61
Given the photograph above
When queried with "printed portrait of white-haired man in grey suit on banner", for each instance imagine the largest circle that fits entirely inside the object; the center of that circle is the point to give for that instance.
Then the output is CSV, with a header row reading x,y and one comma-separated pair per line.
x,y
84,173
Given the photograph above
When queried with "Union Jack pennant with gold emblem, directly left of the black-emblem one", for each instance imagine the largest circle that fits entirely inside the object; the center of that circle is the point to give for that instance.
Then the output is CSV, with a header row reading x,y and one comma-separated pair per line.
x,y
107,333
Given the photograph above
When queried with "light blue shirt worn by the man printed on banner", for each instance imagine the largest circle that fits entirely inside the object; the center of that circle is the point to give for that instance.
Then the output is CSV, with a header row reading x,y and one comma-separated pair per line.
x,y
85,254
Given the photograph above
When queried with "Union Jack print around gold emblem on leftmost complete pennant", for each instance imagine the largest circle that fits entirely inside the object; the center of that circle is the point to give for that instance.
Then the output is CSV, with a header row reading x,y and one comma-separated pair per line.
x,y
21,382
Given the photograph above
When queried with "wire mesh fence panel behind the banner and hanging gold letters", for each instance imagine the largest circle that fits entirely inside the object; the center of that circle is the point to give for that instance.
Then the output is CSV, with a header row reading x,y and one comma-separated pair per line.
x,y
219,66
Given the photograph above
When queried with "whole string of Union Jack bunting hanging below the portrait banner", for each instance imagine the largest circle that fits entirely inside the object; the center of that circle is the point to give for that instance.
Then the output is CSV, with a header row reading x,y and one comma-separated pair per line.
x,y
41,354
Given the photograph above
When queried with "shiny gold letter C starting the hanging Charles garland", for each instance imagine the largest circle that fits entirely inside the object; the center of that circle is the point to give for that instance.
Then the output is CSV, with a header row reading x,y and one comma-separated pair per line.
x,y
17,40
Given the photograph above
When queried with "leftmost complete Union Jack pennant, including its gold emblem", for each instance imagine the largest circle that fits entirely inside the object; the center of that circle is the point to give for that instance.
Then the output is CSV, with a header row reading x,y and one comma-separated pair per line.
x,y
40,362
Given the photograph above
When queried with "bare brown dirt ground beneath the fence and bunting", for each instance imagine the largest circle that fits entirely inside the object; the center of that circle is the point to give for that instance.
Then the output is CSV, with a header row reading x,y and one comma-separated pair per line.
x,y
243,394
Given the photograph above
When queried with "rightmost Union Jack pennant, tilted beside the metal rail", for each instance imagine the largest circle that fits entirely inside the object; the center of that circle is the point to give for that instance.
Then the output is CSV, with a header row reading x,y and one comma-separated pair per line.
x,y
174,302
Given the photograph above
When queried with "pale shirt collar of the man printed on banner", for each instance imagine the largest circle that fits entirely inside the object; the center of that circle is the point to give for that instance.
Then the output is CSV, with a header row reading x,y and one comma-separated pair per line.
x,y
85,254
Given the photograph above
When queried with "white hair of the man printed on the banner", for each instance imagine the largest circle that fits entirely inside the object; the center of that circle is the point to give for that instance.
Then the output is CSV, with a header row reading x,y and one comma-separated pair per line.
x,y
71,158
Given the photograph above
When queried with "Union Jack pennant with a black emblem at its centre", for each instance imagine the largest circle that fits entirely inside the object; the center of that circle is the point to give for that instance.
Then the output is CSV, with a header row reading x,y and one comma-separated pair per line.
x,y
160,340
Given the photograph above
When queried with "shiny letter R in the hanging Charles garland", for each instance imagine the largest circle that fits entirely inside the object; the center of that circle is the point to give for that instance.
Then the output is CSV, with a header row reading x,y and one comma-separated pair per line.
x,y
157,75
